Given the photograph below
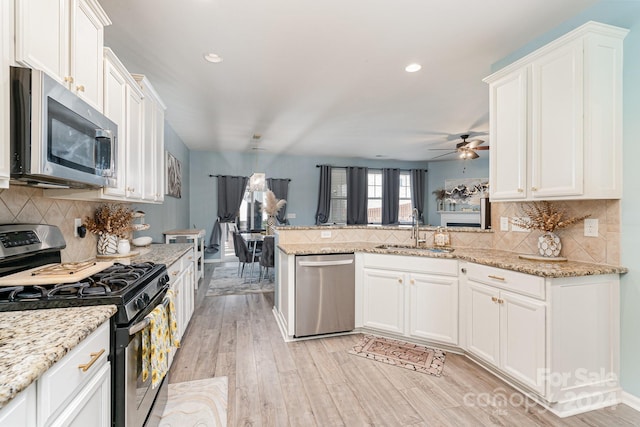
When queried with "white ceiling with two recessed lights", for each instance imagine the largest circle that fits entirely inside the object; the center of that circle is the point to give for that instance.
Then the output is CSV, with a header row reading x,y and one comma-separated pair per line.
x,y
326,77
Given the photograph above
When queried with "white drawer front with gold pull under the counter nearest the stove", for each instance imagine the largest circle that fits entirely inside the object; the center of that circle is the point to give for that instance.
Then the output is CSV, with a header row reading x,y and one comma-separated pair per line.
x,y
60,383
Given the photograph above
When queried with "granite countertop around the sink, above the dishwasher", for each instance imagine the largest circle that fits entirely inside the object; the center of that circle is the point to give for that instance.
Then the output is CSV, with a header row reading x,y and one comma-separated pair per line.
x,y
492,257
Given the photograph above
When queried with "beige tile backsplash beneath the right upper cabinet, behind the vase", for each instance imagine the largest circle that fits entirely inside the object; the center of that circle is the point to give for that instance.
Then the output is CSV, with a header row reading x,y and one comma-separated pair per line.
x,y
602,249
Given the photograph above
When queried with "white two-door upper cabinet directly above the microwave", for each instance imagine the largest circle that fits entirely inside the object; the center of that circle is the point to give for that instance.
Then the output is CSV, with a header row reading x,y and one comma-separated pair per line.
x,y
64,38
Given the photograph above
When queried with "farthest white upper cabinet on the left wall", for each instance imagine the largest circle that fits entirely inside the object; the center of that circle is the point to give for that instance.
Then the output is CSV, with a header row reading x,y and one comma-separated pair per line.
x,y
153,137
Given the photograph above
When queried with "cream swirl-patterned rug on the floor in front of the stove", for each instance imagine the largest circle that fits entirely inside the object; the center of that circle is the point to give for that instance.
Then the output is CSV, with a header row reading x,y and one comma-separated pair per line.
x,y
200,403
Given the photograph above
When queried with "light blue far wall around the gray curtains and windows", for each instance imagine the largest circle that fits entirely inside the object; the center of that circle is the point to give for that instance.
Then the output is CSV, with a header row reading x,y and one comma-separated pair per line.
x,y
303,188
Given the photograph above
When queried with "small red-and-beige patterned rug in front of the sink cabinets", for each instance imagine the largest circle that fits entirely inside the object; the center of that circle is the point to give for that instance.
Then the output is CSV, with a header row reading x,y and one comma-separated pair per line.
x,y
399,353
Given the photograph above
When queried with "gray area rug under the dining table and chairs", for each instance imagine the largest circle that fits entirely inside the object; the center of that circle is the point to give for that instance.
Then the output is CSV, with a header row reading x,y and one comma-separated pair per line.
x,y
225,281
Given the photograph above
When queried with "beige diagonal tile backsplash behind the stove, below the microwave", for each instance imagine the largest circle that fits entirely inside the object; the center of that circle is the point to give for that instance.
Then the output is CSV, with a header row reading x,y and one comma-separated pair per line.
x,y
28,205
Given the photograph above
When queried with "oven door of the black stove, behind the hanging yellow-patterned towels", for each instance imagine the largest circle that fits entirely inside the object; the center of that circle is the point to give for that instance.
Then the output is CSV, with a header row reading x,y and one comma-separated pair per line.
x,y
135,401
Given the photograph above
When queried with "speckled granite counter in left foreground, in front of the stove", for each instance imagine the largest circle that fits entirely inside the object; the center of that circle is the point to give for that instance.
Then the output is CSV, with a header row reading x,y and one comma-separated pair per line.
x,y
32,341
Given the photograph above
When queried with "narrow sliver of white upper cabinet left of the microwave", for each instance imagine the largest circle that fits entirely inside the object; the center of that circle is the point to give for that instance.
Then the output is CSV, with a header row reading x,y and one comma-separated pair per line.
x,y
6,39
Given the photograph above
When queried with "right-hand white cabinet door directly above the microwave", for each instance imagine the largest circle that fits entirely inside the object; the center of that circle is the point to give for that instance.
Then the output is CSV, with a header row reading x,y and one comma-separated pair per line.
x,y
85,57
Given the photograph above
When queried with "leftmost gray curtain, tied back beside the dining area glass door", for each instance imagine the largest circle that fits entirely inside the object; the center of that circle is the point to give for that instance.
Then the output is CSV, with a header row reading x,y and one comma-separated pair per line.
x,y
230,194
